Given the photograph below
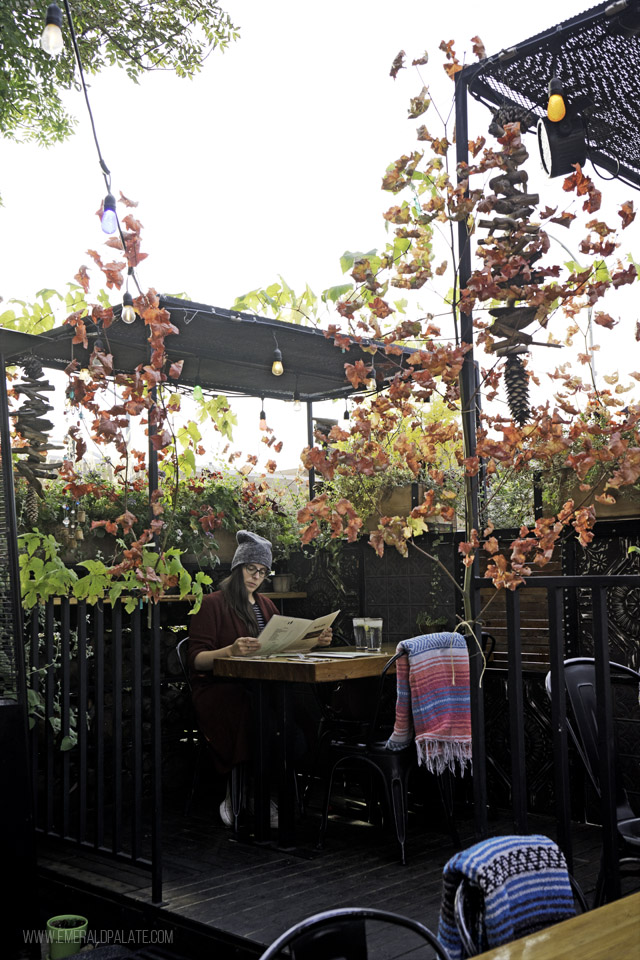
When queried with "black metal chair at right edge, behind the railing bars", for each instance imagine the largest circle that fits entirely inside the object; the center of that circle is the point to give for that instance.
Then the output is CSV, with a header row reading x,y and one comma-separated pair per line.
x,y
580,682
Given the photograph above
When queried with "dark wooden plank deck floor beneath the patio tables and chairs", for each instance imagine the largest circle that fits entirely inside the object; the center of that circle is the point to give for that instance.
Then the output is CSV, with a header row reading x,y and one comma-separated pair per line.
x,y
249,894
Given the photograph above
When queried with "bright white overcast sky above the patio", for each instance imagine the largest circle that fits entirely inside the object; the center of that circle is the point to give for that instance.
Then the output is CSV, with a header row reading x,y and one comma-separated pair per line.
x,y
269,163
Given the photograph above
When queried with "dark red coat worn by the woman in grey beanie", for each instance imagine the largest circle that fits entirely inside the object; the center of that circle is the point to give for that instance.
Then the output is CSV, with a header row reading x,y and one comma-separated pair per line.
x,y
223,707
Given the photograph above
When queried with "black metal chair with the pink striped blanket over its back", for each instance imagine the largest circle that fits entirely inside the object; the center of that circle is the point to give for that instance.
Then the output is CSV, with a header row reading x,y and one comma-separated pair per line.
x,y
366,747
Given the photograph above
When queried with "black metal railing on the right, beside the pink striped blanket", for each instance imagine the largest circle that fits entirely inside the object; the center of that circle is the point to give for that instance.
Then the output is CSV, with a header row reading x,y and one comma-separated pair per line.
x,y
558,589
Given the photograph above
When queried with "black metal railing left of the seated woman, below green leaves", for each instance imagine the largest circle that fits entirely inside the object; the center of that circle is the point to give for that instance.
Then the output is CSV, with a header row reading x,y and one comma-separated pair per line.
x,y
95,729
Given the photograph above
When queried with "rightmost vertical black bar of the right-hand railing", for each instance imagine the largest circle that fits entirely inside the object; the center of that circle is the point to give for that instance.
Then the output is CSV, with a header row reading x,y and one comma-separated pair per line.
x,y
604,717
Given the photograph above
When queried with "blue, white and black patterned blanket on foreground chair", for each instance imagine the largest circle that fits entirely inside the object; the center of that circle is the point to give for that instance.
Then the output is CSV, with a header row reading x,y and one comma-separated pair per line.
x,y
525,885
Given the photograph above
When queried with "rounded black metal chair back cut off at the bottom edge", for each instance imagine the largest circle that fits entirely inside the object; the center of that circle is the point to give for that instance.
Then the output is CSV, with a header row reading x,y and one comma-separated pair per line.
x,y
341,935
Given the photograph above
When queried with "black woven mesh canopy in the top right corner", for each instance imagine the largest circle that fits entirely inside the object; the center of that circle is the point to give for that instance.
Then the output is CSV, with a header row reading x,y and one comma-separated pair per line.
x,y
596,55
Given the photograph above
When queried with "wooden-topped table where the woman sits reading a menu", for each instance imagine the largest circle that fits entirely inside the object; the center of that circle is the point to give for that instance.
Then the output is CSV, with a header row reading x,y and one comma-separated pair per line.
x,y
280,673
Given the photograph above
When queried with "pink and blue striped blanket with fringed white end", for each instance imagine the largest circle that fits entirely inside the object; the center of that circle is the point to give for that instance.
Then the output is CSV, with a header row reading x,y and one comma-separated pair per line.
x,y
432,703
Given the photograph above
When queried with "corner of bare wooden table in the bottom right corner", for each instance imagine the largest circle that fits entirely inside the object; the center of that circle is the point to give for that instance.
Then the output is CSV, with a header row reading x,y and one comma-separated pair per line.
x,y
611,932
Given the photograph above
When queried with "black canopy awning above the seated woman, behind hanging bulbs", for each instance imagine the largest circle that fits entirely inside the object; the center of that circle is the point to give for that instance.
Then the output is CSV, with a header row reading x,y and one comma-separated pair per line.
x,y
222,350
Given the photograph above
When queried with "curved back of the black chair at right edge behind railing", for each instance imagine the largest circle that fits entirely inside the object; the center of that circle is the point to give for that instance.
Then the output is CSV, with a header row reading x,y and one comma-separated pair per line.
x,y
580,681
